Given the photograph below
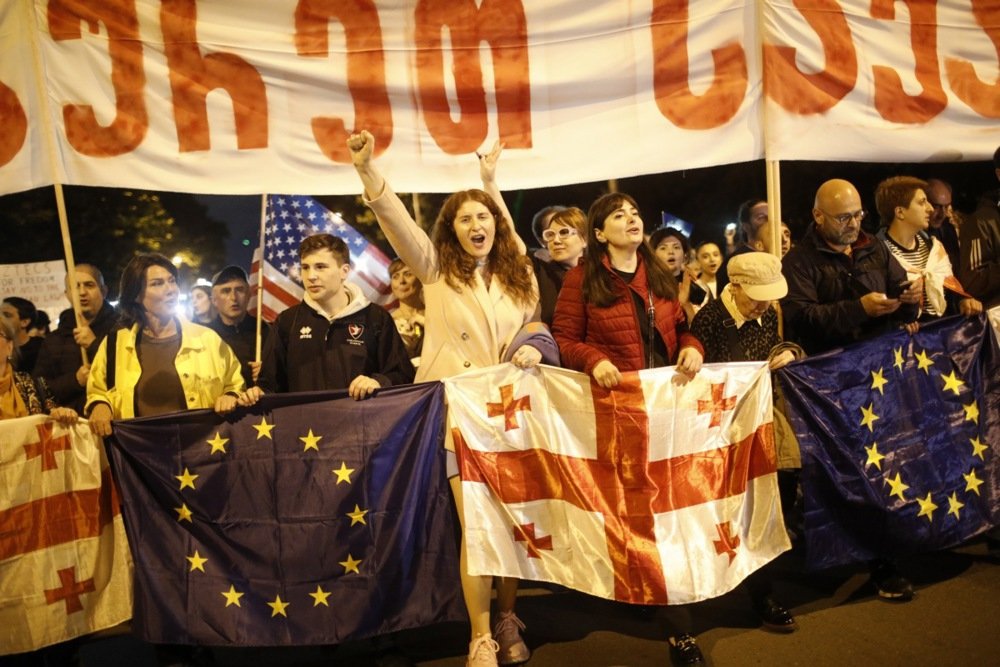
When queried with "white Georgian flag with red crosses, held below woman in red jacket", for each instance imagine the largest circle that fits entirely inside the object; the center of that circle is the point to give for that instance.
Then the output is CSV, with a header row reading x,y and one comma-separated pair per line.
x,y
651,493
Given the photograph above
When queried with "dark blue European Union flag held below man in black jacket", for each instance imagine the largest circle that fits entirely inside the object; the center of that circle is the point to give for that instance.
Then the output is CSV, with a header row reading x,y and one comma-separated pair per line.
x,y
309,519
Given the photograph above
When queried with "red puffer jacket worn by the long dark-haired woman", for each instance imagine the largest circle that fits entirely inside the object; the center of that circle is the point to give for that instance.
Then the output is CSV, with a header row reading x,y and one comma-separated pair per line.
x,y
587,334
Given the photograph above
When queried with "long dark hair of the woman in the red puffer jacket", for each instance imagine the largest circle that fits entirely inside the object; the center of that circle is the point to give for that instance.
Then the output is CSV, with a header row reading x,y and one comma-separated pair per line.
x,y
598,282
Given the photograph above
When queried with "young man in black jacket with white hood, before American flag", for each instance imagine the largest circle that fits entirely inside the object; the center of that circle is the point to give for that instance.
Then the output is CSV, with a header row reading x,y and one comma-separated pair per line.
x,y
335,338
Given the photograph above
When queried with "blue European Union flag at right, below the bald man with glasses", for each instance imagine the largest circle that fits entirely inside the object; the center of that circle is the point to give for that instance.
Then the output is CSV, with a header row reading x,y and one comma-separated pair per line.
x,y
898,438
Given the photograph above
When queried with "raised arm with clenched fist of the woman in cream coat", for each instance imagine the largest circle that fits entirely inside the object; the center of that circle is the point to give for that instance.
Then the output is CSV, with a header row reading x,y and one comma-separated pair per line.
x,y
405,236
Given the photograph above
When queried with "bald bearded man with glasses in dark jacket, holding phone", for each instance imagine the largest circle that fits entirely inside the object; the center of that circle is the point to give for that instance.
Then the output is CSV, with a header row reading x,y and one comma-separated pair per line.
x,y
844,285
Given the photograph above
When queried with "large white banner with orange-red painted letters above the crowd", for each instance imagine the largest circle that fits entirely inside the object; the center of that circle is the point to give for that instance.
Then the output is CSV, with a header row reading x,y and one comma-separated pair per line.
x,y
238,97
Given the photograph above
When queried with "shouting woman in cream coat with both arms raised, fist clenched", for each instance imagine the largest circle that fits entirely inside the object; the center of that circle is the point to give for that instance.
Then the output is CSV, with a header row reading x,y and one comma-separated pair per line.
x,y
479,291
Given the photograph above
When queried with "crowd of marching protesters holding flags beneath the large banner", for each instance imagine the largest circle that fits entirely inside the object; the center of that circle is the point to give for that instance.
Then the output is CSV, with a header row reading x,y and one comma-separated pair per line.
x,y
600,295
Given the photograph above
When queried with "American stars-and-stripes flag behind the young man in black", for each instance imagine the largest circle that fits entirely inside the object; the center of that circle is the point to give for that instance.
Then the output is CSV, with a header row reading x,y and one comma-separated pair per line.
x,y
291,218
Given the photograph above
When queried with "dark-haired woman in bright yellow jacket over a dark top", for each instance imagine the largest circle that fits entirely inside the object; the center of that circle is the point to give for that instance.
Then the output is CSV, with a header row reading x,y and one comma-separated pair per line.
x,y
159,363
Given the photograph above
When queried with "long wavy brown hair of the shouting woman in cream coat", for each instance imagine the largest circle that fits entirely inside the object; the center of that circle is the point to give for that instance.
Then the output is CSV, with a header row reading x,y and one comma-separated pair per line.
x,y
505,261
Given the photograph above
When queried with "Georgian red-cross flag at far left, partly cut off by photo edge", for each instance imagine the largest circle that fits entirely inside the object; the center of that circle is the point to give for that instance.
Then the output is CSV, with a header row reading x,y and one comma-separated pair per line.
x,y
65,569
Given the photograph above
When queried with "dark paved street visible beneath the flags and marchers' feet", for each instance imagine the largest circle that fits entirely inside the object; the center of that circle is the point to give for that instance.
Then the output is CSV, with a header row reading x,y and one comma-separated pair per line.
x,y
955,619
